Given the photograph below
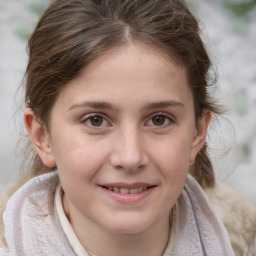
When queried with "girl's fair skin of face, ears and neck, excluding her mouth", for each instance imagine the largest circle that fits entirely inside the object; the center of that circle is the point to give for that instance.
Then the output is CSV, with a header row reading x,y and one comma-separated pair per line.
x,y
145,132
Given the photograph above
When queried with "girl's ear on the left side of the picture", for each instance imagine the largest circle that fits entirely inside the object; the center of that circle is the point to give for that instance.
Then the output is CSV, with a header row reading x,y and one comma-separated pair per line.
x,y
40,138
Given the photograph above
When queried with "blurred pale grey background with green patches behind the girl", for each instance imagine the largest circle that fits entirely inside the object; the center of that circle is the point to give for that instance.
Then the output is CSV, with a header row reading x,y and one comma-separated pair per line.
x,y
229,31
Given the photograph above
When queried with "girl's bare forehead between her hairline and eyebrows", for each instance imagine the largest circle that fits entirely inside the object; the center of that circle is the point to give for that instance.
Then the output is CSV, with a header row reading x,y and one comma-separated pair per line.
x,y
136,72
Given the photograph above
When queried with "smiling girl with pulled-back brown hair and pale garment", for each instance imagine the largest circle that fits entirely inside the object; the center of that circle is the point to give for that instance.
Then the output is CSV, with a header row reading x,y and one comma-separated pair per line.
x,y
117,110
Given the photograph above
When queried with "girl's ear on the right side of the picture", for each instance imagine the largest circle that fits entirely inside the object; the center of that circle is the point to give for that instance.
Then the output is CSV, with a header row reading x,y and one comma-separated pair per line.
x,y
200,137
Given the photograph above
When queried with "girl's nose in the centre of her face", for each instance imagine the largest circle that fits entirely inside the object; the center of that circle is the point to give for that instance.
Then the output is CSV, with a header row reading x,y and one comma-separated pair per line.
x,y
129,151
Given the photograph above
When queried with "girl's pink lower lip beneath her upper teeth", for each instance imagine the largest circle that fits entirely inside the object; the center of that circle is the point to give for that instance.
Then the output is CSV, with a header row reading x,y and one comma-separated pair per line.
x,y
128,198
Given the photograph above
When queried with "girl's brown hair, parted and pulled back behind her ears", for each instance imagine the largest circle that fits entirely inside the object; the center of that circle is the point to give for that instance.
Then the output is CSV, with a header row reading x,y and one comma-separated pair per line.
x,y
73,33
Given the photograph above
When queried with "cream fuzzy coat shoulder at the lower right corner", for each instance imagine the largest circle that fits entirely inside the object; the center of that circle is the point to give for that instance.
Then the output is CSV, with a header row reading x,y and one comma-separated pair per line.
x,y
238,215
